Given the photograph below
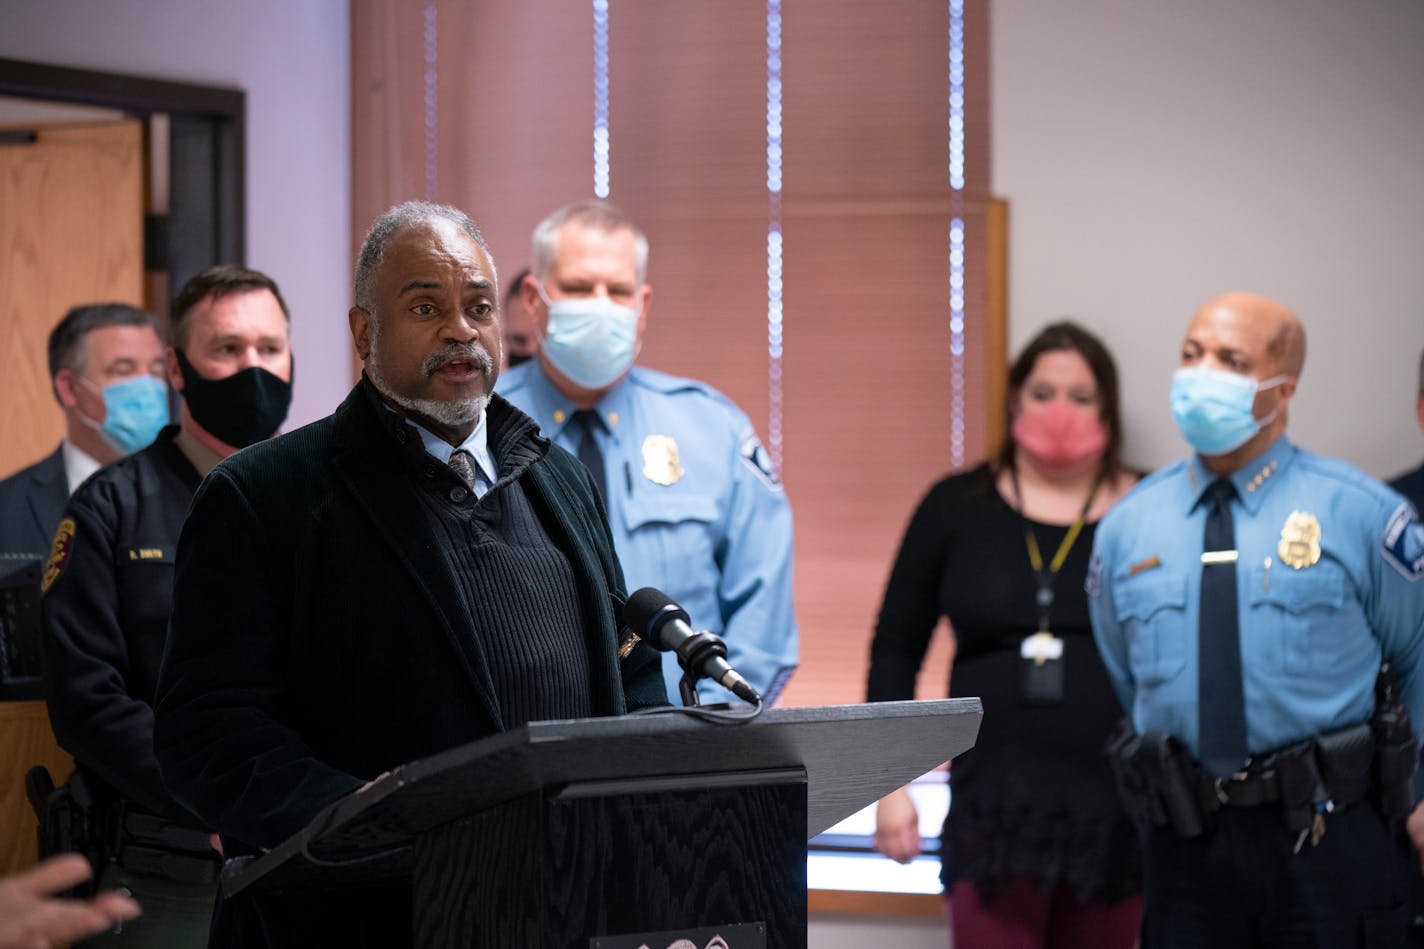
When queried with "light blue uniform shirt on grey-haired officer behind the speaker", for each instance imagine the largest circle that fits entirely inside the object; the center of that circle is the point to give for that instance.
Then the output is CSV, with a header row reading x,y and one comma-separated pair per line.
x,y
696,511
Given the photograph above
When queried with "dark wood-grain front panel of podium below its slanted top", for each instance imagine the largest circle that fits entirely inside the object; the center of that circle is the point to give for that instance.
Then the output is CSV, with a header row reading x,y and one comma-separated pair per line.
x,y
616,860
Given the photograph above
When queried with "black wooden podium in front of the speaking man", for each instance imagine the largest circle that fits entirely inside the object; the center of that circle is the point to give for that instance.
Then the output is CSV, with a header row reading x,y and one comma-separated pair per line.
x,y
616,833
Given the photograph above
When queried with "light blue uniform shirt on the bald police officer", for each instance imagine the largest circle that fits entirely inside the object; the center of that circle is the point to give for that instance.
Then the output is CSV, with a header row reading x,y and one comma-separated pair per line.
x,y
1312,638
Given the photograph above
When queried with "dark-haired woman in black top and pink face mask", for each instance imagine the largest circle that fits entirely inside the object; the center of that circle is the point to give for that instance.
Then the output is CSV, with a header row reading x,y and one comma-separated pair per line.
x,y
1036,850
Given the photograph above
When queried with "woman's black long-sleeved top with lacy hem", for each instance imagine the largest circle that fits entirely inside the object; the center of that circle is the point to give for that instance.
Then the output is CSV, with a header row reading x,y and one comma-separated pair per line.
x,y
1035,797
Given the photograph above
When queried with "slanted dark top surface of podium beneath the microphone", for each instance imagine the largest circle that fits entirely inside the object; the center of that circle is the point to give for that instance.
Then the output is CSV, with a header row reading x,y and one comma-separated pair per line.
x,y
852,756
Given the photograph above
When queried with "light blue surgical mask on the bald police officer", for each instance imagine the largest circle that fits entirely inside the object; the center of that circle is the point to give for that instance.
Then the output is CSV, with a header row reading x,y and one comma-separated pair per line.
x,y
1214,408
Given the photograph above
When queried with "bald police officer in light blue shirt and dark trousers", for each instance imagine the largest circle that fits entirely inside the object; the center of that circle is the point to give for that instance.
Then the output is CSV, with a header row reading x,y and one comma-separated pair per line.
x,y
1244,602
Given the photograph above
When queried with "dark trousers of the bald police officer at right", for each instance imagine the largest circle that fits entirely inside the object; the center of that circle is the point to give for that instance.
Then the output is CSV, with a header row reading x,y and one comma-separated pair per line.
x,y
1244,887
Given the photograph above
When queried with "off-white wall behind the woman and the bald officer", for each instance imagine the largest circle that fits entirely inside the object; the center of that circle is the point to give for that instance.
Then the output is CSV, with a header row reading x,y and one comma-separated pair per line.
x,y
1156,155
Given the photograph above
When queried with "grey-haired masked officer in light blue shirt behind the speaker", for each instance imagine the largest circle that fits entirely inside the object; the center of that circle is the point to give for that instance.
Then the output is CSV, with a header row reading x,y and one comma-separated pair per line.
x,y
694,504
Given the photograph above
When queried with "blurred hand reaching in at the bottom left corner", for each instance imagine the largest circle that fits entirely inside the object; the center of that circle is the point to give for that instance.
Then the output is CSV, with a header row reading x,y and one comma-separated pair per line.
x,y
31,918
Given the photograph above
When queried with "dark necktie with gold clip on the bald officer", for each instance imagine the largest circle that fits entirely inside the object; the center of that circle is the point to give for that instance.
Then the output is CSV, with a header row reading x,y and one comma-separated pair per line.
x,y
1221,705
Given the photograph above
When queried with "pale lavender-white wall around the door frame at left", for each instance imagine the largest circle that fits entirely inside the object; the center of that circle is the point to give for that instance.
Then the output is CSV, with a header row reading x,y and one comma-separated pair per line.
x,y
294,62
